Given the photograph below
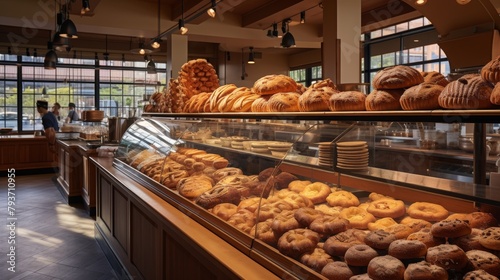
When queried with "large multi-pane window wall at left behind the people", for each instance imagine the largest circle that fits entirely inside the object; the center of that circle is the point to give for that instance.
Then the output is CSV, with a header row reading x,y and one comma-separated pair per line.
x,y
123,84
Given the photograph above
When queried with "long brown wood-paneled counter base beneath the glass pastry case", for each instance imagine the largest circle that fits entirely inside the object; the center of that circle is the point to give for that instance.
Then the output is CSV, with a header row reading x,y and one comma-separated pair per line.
x,y
154,240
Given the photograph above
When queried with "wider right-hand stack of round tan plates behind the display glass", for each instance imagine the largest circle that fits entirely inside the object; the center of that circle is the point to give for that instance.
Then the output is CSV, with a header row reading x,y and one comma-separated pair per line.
x,y
352,155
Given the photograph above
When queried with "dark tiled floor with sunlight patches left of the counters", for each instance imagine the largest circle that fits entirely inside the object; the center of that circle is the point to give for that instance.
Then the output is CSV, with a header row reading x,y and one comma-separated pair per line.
x,y
53,240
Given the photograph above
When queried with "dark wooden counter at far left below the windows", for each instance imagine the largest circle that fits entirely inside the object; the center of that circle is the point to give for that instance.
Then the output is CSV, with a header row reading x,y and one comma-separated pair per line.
x,y
23,152
